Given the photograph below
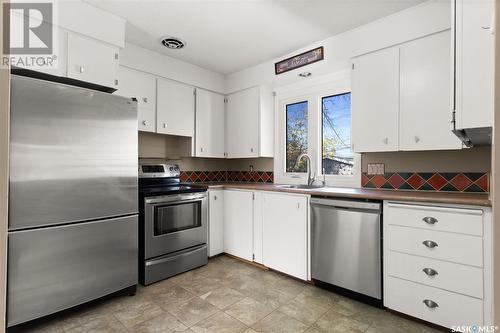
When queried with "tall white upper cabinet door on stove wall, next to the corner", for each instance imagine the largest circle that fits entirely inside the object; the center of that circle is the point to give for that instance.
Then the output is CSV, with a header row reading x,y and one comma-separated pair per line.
x,y
210,124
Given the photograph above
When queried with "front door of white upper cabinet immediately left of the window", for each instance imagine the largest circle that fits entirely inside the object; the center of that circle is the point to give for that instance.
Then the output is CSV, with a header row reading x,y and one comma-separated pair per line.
x,y
242,125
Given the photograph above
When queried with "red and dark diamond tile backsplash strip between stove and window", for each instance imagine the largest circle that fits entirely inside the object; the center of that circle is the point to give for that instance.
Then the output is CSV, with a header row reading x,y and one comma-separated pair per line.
x,y
227,176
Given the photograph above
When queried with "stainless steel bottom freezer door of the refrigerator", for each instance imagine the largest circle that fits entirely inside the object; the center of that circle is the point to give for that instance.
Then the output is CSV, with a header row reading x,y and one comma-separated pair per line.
x,y
55,268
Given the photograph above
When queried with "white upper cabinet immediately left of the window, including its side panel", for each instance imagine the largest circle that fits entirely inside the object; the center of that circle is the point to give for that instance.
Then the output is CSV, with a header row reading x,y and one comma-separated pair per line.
x,y
249,123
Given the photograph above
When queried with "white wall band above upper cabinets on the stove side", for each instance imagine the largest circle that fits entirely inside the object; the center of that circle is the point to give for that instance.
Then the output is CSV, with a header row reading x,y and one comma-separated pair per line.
x,y
158,64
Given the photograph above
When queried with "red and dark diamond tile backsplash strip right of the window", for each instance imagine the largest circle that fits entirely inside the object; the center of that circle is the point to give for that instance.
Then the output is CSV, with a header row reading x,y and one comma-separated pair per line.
x,y
471,182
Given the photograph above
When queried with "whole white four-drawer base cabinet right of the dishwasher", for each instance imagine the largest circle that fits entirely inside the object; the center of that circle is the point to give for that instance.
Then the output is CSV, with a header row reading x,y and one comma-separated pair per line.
x,y
433,271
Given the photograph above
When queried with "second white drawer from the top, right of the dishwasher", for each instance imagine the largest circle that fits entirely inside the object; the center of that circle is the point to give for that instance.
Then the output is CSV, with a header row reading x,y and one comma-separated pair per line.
x,y
457,248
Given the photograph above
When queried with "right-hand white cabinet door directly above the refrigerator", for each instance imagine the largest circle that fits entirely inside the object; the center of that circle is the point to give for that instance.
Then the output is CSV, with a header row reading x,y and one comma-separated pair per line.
x,y
92,61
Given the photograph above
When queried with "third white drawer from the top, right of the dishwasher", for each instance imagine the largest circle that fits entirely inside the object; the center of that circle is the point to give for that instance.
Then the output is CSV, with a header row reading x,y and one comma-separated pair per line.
x,y
458,278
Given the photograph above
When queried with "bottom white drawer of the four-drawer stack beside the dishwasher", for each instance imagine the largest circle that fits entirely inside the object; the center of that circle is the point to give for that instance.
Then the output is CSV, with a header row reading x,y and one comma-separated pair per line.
x,y
451,309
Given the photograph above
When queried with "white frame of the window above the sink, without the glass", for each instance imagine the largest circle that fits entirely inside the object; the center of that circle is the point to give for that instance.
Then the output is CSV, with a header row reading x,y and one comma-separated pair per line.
x,y
312,90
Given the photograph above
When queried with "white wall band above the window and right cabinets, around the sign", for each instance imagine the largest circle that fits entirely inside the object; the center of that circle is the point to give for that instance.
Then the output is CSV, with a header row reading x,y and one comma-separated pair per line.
x,y
415,22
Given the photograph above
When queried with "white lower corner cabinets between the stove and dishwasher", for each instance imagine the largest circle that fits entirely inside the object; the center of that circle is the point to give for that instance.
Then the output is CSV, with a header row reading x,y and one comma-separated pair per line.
x,y
264,227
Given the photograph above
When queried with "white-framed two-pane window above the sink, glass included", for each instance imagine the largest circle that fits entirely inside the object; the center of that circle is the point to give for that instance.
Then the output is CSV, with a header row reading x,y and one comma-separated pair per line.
x,y
314,117
